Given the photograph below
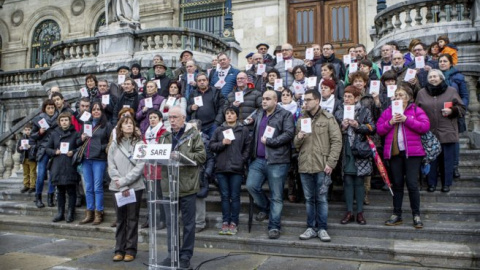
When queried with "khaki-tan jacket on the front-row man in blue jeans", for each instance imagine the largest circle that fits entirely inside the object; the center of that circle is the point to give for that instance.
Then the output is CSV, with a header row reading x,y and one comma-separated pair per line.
x,y
321,147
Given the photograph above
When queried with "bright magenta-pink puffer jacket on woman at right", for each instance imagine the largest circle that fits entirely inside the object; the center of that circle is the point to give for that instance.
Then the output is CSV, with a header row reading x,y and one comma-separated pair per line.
x,y
417,123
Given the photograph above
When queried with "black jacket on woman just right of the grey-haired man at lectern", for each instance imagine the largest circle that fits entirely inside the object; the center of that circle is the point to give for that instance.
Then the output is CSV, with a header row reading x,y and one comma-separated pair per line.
x,y
231,158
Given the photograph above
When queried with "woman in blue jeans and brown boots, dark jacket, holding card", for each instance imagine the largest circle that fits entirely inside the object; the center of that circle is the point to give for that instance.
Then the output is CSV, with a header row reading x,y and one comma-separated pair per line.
x,y
94,141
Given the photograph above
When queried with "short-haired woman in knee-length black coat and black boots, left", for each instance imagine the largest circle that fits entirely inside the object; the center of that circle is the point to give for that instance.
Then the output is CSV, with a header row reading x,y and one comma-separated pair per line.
x,y
61,146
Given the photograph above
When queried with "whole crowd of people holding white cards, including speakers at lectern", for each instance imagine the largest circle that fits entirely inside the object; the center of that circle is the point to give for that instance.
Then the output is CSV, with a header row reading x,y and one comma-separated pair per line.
x,y
281,120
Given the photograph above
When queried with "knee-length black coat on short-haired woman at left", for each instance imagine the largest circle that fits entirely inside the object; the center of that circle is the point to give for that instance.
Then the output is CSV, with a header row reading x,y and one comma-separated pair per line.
x,y
62,170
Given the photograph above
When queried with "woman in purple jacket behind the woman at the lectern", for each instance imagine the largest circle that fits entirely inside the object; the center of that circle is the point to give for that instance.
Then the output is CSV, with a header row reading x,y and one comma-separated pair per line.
x,y
152,100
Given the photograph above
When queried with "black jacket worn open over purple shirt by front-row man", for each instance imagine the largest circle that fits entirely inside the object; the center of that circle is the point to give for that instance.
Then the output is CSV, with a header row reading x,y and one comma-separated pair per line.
x,y
277,149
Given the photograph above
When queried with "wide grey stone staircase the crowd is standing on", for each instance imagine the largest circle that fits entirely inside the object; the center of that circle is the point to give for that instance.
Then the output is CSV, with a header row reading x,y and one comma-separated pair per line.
x,y
449,239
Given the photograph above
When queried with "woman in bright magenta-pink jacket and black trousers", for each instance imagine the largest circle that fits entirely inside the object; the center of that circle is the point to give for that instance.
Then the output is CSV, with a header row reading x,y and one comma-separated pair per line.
x,y
403,147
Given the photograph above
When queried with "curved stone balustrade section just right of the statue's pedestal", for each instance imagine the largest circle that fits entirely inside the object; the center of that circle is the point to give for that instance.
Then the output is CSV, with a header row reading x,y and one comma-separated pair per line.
x,y
180,38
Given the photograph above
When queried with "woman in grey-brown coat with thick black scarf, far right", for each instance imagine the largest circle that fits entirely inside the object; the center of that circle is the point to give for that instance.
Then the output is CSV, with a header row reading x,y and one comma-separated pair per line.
x,y
443,123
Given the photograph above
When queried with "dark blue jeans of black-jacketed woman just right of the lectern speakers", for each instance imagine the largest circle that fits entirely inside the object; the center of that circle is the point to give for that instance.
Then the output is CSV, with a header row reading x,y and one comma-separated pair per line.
x,y
230,184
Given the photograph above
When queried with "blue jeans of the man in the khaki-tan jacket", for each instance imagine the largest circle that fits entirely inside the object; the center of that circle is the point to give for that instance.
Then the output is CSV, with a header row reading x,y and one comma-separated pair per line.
x,y
316,203
